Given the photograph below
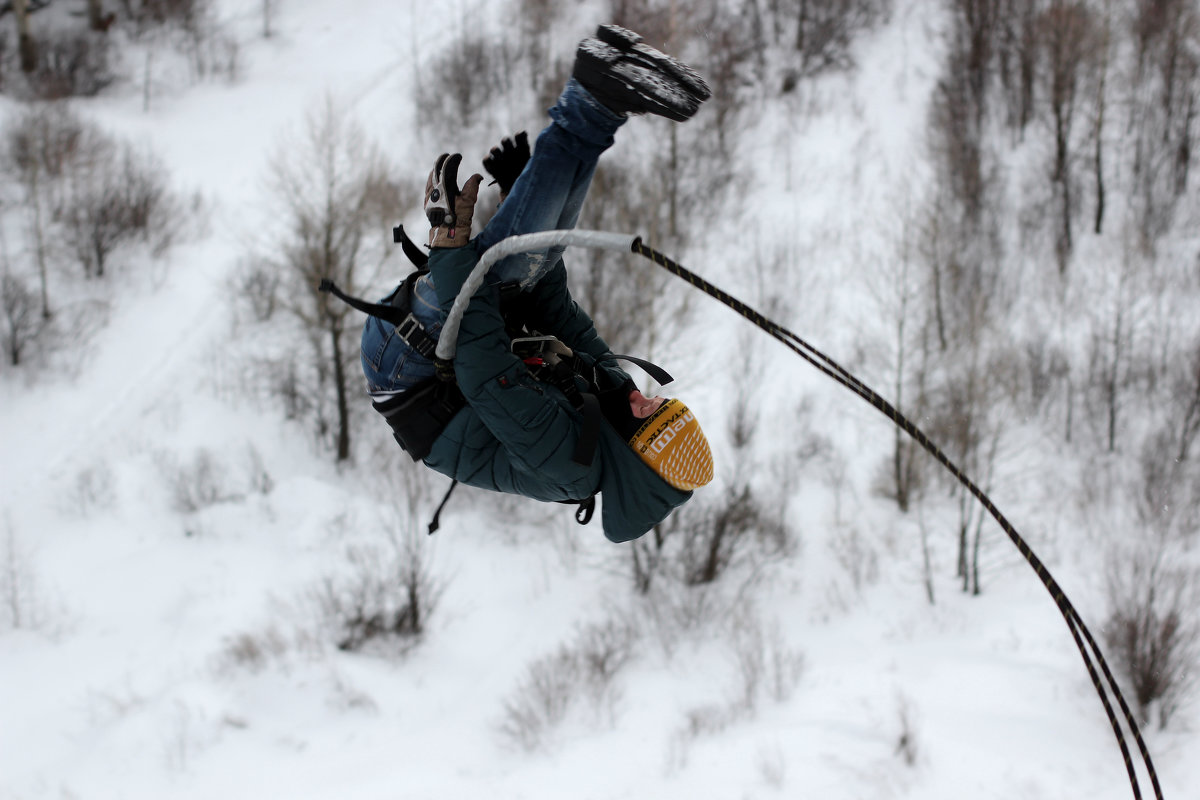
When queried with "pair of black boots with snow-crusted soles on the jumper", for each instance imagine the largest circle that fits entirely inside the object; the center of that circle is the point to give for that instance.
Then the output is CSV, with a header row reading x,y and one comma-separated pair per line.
x,y
638,80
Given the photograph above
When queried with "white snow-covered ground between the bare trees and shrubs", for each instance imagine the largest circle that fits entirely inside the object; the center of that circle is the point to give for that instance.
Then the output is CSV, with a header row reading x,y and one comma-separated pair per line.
x,y
125,685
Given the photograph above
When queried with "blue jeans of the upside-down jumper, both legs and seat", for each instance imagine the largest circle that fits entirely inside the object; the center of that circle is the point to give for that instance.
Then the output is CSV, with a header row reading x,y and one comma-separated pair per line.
x,y
548,196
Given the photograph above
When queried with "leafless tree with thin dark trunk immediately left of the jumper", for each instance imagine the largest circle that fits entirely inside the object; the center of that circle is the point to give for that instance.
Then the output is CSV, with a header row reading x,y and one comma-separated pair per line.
x,y
338,199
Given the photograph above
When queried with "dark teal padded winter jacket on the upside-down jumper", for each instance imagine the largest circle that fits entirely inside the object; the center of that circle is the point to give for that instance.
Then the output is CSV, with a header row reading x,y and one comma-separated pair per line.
x,y
518,435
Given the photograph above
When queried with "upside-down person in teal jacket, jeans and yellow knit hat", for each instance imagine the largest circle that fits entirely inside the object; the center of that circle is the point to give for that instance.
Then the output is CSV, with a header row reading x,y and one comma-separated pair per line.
x,y
539,406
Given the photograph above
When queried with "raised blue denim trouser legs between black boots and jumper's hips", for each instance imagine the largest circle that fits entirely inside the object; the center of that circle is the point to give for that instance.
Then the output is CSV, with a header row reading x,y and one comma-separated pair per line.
x,y
550,193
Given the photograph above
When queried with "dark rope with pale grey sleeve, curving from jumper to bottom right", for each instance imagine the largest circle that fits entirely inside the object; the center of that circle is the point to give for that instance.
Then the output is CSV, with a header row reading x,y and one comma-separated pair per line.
x,y
1094,659
